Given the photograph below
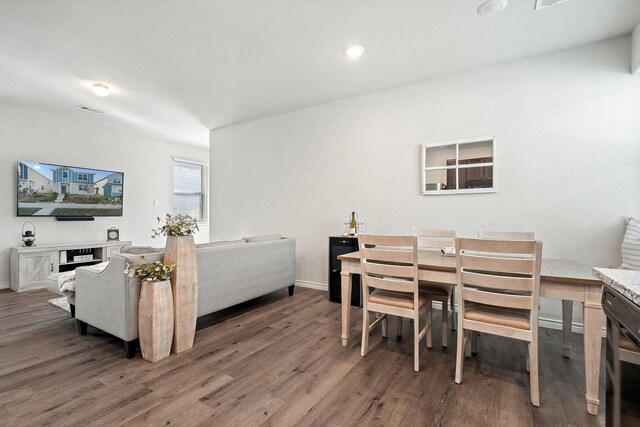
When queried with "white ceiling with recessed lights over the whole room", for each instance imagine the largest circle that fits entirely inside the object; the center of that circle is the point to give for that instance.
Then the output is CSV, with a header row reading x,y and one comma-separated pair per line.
x,y
178,68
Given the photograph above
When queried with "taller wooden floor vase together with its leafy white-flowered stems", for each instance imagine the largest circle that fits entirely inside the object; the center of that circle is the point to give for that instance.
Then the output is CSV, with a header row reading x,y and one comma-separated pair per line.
x,y
180,250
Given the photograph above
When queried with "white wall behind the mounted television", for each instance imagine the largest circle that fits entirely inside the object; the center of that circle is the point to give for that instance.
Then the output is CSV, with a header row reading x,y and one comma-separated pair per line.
x,y
39,136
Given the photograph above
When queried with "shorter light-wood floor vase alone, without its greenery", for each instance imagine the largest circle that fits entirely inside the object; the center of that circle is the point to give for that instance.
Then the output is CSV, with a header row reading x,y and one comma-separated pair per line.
x,y
155,320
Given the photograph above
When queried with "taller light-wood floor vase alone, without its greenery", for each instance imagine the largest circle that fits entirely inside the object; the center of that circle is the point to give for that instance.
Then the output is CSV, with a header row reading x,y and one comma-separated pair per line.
x,y
181,251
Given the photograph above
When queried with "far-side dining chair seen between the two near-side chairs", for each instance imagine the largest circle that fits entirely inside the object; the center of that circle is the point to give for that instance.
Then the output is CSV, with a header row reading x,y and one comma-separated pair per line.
x,y
436,240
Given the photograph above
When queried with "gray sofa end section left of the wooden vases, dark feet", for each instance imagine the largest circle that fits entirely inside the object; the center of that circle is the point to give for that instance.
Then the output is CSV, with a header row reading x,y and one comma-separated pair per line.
x,y
109,300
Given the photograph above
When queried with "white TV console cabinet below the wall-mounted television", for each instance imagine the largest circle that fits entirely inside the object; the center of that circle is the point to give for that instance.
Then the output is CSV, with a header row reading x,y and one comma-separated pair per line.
x,y
30,266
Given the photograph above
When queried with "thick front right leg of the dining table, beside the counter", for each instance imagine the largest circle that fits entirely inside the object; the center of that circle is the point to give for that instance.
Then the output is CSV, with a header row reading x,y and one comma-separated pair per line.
x,y
592,318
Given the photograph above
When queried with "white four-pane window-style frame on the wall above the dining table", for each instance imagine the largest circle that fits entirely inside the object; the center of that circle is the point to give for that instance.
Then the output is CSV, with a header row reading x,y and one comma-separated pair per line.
x,y
457,143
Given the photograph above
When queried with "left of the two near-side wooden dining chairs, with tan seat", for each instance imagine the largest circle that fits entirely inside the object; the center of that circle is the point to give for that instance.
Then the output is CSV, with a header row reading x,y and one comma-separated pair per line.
x,y
390,286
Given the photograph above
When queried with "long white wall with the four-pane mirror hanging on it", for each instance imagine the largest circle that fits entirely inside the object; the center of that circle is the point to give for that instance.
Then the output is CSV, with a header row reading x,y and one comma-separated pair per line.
x,y
567,160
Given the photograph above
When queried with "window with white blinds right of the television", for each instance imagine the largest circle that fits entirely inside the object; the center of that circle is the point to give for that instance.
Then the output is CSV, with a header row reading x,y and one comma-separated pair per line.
x,y
189,195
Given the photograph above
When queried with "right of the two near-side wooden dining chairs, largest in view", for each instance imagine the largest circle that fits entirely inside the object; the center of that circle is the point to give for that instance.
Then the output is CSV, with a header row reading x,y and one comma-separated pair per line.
x,y
498,295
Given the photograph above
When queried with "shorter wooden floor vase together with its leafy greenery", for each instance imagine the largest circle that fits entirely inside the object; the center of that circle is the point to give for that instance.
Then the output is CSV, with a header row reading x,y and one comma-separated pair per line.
x,y
155,308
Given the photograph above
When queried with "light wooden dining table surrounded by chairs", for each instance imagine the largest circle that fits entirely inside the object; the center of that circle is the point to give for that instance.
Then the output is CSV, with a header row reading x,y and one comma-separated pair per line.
x,y
566,280
